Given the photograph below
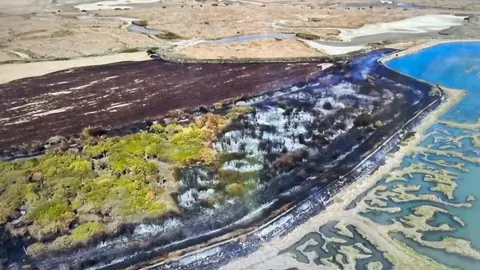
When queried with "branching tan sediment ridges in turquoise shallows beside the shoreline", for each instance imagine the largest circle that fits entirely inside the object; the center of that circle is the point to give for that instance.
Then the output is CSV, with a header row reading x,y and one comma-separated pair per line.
x,y
410,205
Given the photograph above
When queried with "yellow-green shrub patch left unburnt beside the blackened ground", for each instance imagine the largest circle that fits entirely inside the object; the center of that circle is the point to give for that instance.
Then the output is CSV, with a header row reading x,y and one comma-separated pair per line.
x,y
107,183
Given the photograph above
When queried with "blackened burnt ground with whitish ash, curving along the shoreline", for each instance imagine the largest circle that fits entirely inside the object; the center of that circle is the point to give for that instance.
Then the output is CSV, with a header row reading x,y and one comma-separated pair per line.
x,y
362,84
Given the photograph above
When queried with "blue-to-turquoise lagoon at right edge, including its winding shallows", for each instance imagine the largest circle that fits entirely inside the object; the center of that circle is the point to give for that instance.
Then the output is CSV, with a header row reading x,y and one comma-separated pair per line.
x,y
454,65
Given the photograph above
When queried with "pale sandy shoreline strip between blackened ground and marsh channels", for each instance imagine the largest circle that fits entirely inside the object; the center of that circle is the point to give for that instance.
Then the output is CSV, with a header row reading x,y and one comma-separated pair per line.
x,y
336,208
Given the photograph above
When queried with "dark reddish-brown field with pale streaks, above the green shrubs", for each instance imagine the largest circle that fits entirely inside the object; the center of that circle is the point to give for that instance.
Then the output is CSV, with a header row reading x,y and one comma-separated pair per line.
x,y
65,102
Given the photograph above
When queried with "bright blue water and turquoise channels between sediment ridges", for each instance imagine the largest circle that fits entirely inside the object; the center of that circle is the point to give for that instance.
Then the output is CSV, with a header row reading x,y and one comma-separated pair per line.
x,y
454,65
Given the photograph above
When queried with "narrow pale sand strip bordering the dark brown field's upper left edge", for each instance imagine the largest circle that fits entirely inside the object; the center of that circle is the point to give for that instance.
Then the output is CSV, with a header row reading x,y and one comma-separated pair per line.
x,y
10,72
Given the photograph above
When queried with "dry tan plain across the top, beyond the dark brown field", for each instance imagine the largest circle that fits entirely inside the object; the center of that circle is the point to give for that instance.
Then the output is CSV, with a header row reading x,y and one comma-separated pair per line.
x,y
36,30
